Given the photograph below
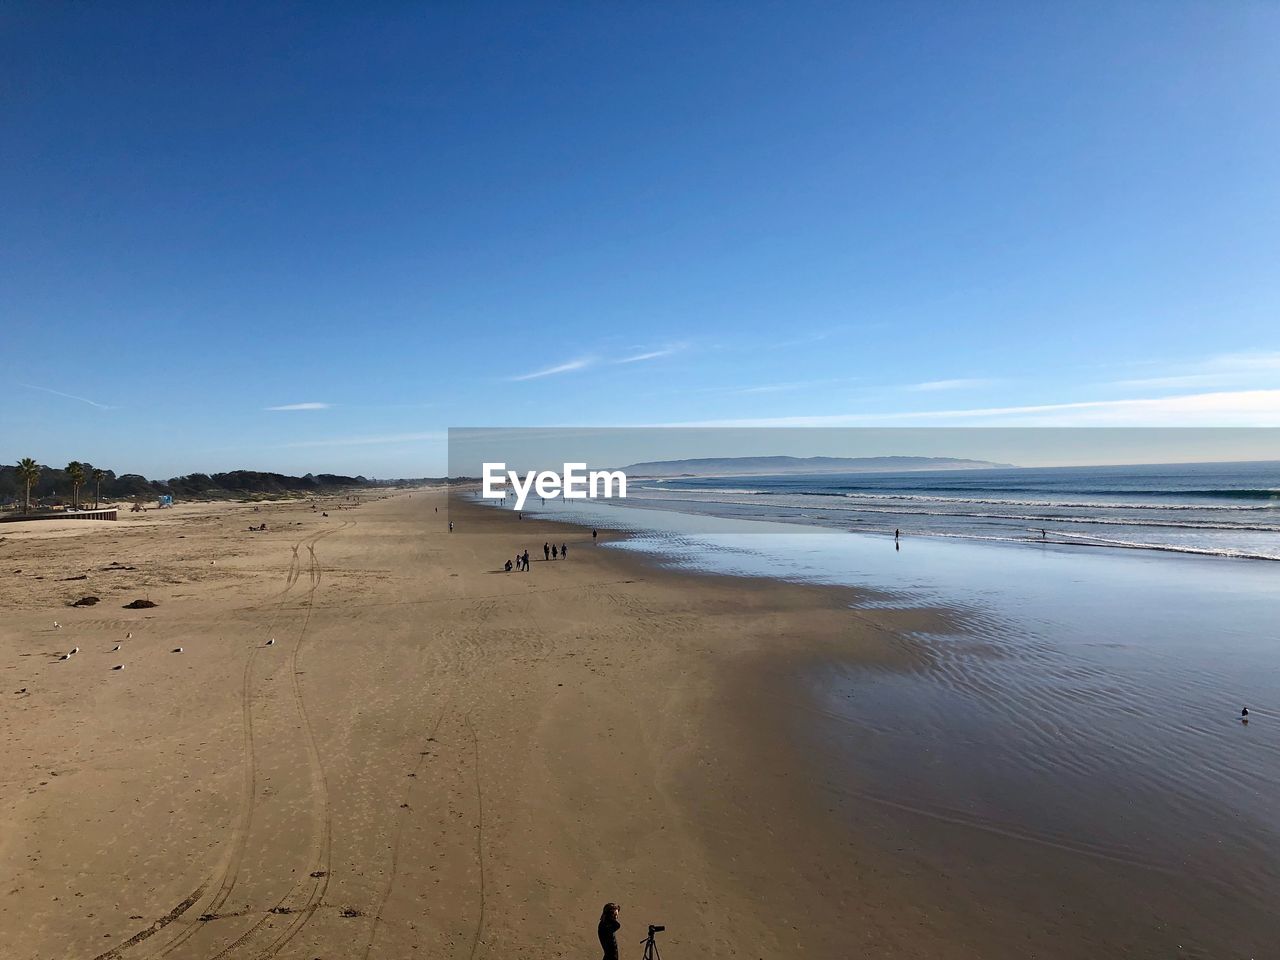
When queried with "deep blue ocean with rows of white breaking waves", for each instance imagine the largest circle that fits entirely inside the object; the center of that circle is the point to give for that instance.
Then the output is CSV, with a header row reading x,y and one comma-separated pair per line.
x,y
1231,510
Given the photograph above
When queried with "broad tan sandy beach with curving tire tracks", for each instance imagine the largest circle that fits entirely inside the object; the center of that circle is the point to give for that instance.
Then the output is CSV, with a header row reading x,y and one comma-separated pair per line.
x,y
437,758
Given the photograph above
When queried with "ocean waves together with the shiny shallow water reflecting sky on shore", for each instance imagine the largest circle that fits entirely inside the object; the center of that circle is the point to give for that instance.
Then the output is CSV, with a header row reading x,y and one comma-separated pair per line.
x,y
1085,710
